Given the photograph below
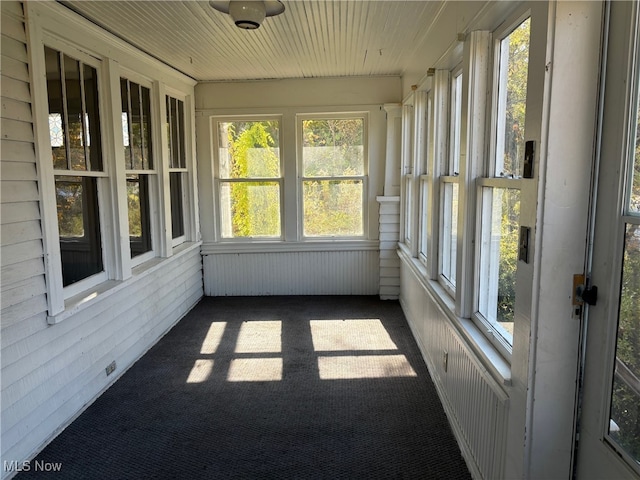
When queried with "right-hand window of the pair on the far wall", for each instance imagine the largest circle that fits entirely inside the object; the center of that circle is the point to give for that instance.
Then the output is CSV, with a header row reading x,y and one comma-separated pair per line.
x,y
333,166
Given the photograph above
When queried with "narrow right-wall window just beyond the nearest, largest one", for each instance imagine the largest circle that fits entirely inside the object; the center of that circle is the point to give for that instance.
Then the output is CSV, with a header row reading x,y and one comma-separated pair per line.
x,y
449,189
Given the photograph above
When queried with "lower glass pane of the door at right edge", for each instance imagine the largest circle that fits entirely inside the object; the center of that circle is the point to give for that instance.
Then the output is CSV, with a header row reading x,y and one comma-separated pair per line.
x,y
625,407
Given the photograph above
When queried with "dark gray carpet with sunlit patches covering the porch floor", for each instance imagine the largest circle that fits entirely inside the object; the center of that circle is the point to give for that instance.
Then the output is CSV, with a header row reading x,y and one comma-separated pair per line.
x,y
163,419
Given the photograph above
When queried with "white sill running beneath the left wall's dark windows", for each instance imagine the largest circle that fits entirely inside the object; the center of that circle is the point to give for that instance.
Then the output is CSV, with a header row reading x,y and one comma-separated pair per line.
x,y
88,298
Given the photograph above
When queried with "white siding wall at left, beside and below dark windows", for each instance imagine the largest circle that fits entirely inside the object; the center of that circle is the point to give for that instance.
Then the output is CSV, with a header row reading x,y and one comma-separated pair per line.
x,y
50,373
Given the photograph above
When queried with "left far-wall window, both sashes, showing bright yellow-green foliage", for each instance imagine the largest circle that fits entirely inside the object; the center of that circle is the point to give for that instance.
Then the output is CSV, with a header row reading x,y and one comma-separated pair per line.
x,y
250,179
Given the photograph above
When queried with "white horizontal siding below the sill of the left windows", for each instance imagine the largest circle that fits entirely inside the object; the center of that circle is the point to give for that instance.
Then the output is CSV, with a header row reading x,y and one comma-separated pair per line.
x,y
50,375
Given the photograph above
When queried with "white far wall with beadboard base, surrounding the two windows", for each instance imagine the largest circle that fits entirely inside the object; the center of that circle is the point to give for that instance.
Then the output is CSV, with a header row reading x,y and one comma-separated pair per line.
x,y
321,263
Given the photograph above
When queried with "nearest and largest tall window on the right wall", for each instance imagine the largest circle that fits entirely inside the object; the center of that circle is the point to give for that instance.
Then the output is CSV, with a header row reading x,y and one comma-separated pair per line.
x,y
499,191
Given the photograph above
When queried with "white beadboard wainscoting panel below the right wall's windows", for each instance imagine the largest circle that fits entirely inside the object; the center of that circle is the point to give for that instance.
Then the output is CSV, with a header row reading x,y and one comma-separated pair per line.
x,y
476,404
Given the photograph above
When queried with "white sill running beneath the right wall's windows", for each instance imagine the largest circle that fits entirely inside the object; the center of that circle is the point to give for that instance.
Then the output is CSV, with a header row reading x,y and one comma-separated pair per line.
x,y
488,356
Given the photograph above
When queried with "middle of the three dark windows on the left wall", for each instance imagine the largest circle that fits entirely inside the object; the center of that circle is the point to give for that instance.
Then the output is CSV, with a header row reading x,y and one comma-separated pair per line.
x,y
136,116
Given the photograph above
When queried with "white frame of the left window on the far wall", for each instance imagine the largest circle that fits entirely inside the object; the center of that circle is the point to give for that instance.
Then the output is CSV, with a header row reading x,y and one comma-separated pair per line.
x,y
218,181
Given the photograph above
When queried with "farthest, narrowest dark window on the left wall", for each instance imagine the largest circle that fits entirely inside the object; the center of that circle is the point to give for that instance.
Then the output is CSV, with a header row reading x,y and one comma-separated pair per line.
x,y
177,164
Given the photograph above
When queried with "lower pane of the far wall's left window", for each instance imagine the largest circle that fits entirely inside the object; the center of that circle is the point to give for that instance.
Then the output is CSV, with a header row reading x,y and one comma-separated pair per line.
x,y
250,209
